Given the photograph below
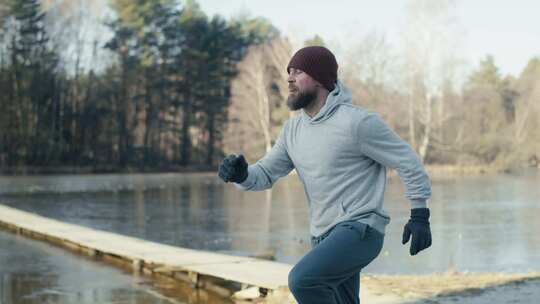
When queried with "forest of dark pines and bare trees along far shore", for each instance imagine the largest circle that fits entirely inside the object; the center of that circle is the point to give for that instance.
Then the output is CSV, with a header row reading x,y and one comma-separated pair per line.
x,y
158,85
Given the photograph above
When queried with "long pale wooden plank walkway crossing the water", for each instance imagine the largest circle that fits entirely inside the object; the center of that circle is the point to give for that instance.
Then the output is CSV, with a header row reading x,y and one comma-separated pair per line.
x,y
244,270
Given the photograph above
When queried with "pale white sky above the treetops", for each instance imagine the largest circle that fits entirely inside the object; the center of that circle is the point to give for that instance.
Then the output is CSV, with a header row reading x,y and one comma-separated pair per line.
x,y
508,30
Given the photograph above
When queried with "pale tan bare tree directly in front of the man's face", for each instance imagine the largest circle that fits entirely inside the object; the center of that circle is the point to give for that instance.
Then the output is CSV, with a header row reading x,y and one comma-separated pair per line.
x,y
258,90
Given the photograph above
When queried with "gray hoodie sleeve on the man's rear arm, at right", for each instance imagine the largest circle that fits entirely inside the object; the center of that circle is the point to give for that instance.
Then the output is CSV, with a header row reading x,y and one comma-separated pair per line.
x,y
379,142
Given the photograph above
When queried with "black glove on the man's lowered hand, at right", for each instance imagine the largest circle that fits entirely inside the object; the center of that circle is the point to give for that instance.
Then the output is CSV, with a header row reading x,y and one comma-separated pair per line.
x,y
418,226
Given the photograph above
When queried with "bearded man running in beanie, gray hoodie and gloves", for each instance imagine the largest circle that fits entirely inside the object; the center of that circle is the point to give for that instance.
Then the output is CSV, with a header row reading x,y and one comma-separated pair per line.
x,y
341,153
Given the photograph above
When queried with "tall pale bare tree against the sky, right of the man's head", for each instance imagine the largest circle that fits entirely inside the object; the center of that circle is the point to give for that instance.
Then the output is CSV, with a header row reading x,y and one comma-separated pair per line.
x,y
430,59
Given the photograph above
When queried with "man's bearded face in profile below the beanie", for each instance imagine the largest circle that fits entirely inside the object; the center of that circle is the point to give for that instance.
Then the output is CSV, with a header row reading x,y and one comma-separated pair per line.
x,y
302,89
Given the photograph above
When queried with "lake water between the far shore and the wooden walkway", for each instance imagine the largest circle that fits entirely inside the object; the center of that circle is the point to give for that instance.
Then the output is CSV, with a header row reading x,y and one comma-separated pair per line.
x,y
484,223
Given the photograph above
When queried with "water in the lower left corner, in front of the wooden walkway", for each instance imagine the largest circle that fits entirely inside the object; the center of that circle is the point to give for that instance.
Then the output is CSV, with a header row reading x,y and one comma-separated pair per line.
x,y
34,272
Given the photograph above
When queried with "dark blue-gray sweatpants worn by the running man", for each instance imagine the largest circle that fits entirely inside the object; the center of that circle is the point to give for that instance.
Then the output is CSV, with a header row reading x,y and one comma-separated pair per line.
x,y
330,272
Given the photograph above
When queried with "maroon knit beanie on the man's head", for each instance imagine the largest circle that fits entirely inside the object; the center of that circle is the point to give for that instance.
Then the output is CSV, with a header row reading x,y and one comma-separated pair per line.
x,y
318,62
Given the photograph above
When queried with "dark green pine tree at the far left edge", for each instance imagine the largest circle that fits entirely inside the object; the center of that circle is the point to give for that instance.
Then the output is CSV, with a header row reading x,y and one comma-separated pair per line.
x,y
32,78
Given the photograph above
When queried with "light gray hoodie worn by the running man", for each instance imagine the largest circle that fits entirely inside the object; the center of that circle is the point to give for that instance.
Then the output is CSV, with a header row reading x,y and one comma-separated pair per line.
x,y
341,156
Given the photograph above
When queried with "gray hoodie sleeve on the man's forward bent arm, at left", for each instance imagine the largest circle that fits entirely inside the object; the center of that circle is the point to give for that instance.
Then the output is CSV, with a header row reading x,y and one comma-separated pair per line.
x,y
275,164
